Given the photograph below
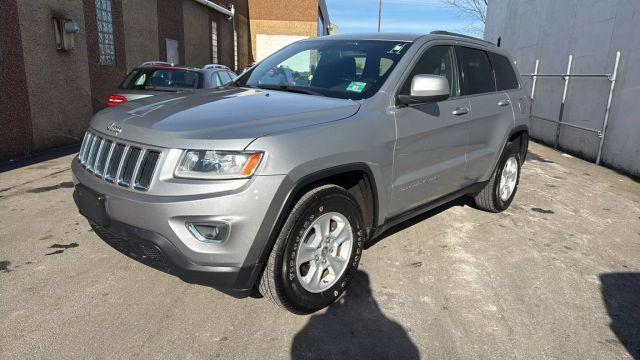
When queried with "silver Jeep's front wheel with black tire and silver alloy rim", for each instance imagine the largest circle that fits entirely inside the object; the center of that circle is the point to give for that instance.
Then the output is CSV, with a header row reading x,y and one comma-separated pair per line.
x,y
316,253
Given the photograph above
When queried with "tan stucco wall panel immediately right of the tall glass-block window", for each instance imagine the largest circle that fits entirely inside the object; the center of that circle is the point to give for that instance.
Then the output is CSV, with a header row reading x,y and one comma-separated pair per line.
x,y
141,29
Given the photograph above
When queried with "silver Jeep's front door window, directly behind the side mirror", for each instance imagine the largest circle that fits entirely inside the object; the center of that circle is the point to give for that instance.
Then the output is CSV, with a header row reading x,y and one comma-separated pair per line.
x,y
438,60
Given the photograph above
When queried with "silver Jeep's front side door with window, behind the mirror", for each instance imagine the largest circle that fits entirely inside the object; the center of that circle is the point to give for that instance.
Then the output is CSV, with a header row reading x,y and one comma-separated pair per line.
x,y
429,156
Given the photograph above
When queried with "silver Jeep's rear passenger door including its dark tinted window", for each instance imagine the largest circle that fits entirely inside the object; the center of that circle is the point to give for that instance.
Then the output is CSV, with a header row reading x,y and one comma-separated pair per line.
x,y
492,114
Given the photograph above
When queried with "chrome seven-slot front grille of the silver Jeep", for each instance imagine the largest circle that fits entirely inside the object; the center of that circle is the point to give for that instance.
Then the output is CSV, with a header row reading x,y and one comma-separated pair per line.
x,y
124,164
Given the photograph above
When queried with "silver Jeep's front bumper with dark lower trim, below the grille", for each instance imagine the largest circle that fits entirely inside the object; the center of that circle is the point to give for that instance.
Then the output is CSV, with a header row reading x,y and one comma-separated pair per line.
x,y
151,228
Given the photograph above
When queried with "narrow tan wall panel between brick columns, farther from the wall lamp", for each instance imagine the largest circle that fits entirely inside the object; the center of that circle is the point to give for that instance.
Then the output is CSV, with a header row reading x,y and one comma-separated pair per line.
x,y
197,37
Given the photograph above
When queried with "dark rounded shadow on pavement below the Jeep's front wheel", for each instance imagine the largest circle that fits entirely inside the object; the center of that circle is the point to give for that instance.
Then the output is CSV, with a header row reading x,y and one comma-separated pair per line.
x,y
353,328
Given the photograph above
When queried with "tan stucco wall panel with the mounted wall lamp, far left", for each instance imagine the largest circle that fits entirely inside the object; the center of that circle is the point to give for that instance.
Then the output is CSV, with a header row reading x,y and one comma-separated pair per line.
x,y
58,82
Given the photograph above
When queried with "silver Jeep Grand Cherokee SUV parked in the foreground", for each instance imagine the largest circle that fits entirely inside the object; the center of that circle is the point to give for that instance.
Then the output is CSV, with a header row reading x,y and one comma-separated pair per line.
x,y
276,182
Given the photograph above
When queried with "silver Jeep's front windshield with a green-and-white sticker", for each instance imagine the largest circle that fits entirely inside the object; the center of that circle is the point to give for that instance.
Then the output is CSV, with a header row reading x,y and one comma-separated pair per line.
x,y
348,69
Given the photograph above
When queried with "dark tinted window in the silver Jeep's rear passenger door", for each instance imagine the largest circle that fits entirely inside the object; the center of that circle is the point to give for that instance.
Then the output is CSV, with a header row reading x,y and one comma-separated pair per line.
x,y
476,69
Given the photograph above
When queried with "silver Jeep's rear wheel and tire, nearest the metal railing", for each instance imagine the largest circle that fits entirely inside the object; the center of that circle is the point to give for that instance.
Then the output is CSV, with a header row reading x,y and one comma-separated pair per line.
x,y
503,185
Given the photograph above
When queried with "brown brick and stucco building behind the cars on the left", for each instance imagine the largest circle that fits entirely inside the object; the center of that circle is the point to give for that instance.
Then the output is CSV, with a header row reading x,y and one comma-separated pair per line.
x,y
60,59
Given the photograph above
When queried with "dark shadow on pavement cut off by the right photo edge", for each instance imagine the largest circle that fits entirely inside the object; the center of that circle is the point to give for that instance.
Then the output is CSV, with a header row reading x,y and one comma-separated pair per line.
x,y
621,296
